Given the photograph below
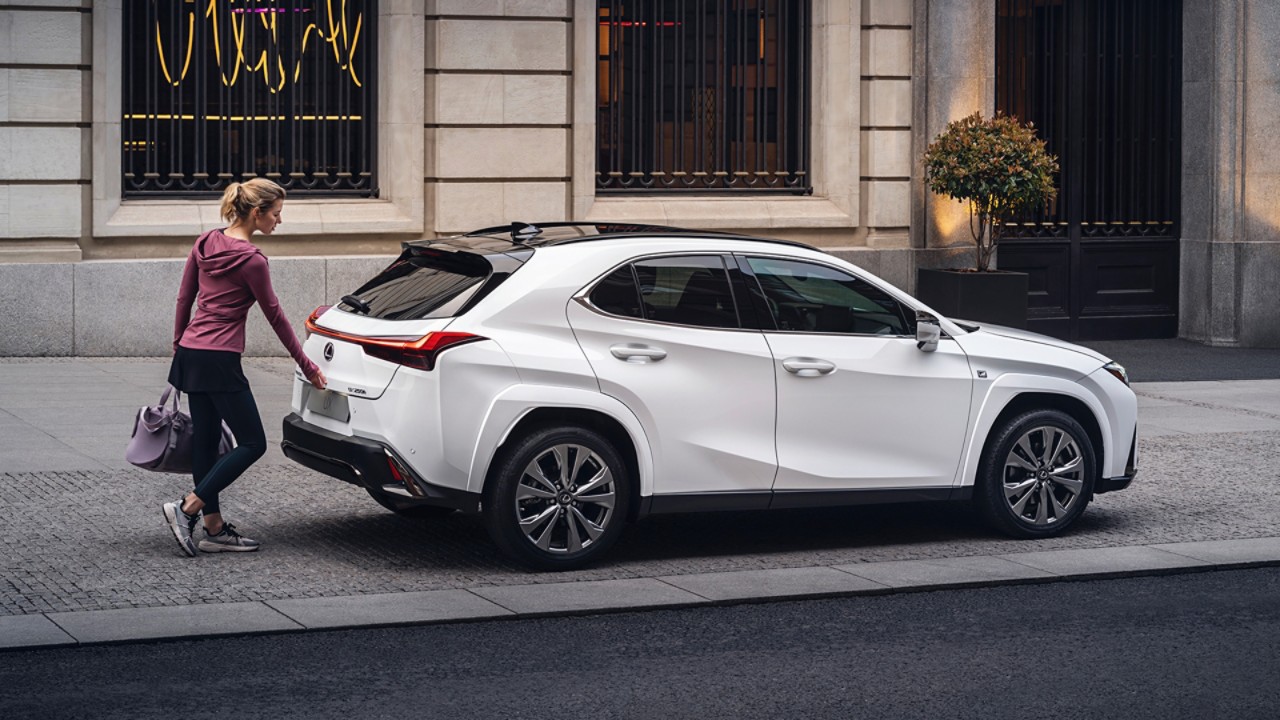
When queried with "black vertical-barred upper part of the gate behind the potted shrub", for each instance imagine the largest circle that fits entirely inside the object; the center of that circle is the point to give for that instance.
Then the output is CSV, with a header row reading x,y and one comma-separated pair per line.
x,y
1099,80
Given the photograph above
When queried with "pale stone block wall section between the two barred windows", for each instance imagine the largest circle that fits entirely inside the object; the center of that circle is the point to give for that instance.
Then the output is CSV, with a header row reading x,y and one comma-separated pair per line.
x,y
497,112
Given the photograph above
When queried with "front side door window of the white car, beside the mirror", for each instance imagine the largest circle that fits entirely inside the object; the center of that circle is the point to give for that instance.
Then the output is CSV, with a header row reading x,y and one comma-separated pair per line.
x,y
811,298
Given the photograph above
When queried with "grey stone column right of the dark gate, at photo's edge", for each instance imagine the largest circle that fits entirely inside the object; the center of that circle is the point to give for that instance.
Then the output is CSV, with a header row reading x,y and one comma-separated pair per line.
x,y
1231,248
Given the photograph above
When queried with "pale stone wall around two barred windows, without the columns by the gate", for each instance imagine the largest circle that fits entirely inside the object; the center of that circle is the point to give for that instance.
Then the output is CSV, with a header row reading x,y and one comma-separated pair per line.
x,y
486,116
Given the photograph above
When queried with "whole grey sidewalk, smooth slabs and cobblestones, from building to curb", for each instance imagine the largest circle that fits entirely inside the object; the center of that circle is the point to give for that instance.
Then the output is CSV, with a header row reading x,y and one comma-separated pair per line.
x,y
95,539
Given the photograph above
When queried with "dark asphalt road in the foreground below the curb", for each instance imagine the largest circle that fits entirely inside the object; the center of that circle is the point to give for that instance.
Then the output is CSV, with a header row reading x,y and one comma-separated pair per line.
x,y
1185,646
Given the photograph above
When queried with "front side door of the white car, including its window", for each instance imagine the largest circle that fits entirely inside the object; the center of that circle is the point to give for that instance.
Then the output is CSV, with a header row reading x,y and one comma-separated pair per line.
x,y
860,405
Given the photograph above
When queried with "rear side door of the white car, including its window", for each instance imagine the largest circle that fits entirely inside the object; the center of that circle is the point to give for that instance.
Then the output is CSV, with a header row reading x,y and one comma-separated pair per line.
x,y
665,336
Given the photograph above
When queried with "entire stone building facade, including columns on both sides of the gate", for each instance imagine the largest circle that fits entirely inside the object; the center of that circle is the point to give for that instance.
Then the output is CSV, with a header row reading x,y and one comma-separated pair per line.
x,y
487,115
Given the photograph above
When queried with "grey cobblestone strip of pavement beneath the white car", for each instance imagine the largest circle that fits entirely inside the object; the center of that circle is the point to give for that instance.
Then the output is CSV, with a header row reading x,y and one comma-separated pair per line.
x,y
97,540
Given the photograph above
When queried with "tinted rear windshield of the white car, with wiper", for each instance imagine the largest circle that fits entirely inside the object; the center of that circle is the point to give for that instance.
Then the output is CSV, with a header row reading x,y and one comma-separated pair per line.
x,y
422,285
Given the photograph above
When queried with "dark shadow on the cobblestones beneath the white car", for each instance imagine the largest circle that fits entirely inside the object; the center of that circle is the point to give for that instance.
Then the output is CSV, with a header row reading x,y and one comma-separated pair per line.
x,y
669,544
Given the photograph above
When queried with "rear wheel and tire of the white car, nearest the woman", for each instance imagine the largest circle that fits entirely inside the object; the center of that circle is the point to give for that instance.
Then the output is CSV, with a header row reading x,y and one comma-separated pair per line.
x,y
557,499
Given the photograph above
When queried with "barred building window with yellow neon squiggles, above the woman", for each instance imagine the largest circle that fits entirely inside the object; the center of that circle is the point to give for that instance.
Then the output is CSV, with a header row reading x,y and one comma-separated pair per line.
x,y
218,92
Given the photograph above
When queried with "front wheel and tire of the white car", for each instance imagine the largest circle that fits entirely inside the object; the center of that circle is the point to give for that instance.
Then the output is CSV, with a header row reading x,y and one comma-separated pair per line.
x,y
1037,475
